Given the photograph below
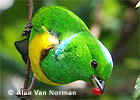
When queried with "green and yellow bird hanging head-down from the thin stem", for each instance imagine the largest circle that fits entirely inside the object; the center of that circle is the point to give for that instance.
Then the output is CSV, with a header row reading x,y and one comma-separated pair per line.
x,y
62,49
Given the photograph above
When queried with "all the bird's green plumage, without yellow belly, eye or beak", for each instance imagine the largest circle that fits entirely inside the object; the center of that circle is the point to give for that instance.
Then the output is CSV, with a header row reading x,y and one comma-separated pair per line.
x,y
71,59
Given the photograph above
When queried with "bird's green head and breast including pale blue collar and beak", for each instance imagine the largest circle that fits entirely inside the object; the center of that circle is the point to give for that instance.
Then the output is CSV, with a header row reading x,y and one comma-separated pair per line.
x,y
79,57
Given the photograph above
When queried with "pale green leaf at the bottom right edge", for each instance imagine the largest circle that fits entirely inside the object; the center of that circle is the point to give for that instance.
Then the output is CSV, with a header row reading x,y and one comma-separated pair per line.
x,y
136,93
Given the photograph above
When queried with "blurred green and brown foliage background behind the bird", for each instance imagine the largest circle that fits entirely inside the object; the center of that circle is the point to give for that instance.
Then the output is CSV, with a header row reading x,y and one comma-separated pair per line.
x,y
114,22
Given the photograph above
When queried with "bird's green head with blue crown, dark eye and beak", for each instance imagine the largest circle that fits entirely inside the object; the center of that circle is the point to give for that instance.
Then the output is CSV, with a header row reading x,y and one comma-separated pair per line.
x,y
101,63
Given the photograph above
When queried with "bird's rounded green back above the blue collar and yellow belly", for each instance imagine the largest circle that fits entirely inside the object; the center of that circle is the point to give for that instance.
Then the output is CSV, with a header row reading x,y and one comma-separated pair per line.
x,y
58,21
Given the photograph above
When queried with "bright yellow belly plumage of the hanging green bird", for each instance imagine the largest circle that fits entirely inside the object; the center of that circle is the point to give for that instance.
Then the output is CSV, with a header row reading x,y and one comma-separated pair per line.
x,y
41,42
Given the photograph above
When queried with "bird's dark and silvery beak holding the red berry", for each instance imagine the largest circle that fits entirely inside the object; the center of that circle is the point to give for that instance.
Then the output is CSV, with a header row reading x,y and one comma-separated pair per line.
x,y
98,83
